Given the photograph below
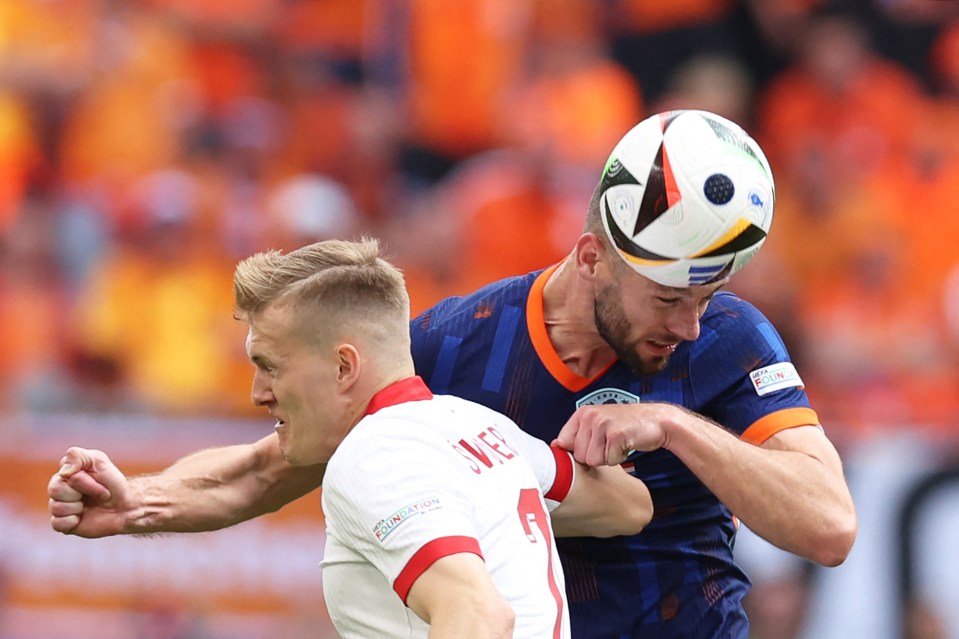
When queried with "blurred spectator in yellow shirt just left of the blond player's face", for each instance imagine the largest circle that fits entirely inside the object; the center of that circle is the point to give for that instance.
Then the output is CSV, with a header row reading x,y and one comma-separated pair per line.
x,y
156,307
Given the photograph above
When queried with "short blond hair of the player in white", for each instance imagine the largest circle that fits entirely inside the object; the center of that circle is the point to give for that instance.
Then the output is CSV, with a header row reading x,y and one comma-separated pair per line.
x,y
334,282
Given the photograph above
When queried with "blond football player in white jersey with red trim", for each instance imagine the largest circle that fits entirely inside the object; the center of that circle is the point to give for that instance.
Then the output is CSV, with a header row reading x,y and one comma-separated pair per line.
x,y
437,509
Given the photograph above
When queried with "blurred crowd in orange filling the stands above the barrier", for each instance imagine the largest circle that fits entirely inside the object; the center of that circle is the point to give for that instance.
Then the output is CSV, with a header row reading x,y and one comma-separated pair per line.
x,y
147,145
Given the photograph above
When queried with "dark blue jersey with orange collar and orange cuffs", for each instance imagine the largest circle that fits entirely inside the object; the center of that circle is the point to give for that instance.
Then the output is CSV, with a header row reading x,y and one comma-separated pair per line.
x,y
677,578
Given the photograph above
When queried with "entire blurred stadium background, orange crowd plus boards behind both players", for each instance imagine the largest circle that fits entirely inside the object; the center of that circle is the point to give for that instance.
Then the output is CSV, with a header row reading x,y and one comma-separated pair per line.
x,y
146,145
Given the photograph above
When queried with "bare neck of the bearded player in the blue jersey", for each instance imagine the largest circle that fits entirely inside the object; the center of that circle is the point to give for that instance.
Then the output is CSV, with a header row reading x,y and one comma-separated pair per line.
x,y
568,310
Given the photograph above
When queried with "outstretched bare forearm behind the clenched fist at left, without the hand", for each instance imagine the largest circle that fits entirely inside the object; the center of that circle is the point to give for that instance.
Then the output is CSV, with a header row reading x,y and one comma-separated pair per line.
x,y
216,488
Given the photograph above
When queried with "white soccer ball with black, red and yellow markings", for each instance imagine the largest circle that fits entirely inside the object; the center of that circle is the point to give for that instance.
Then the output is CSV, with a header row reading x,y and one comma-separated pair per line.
x,y
687,198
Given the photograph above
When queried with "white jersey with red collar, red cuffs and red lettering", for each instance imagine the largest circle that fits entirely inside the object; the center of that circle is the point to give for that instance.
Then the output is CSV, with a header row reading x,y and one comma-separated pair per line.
x,y
422,477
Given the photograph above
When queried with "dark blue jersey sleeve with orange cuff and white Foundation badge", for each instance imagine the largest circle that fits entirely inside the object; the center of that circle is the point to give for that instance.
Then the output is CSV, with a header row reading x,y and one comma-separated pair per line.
x,y
742,374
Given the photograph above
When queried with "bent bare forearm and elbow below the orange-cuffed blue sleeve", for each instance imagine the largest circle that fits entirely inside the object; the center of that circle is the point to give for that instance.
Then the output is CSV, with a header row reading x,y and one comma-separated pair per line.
x,y
796,500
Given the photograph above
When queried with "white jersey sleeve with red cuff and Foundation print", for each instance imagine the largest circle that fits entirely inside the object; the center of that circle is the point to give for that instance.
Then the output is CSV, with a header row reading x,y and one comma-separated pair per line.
x,y
399,507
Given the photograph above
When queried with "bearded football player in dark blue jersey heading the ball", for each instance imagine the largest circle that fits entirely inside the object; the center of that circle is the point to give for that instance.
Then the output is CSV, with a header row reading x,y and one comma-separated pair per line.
x,y
687,386
